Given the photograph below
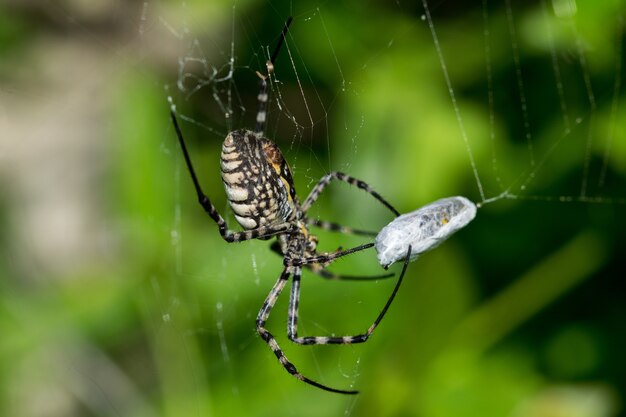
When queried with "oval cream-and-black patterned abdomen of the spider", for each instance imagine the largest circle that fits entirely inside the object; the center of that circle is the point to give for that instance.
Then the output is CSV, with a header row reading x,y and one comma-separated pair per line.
x,y
257,180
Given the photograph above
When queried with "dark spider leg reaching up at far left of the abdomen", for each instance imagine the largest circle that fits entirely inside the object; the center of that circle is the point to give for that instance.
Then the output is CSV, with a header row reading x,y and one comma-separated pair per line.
x,y
209,208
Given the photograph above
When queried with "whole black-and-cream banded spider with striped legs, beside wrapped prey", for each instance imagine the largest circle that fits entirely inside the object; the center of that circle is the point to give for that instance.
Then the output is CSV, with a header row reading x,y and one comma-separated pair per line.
x,y
261,193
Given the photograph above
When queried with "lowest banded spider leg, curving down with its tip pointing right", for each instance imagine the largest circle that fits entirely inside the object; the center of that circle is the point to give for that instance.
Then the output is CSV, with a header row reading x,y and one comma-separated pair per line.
x,y
261,319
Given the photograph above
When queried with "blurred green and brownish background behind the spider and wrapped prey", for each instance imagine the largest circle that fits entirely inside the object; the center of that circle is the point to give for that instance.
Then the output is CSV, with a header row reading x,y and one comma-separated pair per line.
x,y
118,298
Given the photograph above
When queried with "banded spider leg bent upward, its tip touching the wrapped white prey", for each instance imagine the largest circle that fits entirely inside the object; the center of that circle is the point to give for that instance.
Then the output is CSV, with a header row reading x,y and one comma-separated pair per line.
x,y
294,301
